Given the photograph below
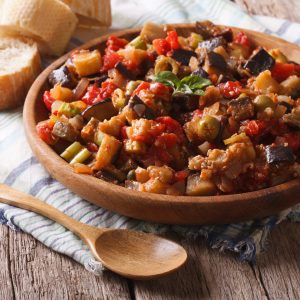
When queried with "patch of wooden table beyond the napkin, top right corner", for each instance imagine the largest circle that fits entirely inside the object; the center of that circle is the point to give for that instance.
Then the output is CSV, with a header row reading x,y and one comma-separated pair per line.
x,y
276,8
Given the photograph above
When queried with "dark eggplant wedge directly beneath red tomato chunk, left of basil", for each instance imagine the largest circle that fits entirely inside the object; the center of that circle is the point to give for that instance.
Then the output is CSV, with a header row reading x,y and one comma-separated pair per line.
x,y
103,110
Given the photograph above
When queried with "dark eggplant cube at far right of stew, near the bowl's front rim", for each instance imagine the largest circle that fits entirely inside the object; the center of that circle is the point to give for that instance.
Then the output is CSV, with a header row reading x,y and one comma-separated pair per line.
x,y
279,154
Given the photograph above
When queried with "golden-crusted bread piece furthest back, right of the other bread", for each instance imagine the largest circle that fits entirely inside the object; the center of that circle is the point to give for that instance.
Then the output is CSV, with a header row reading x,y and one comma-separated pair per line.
x,y
91,13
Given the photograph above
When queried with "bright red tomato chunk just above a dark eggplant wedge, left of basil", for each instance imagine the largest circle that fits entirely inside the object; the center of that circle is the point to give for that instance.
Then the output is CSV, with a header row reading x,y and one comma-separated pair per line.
x,y
95,94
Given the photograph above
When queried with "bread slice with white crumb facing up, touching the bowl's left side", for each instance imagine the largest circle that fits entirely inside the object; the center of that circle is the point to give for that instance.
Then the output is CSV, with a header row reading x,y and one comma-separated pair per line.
x,y
19,65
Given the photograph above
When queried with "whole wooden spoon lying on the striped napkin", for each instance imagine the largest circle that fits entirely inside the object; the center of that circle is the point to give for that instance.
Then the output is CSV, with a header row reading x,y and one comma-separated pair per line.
x,y
129,253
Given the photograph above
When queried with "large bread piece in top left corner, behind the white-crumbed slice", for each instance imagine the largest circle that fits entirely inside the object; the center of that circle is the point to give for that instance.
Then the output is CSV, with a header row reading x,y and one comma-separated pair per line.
x,y
50,23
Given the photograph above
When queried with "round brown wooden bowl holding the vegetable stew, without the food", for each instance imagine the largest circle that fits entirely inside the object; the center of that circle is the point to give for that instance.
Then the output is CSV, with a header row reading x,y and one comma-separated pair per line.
x,y
155,207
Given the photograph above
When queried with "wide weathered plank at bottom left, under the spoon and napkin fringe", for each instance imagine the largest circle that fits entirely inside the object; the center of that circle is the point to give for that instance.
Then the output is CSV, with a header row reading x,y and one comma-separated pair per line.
x,y
39,273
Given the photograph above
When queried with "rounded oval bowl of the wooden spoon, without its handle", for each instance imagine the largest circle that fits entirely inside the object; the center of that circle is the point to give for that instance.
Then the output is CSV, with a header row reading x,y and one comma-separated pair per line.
x,y
138,255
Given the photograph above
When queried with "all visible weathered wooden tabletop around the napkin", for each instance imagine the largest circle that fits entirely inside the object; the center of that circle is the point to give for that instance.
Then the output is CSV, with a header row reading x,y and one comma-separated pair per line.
x,y
28,270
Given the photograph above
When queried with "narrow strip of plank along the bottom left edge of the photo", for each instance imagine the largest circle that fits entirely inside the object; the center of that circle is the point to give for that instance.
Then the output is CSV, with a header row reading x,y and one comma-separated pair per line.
x,y
6,290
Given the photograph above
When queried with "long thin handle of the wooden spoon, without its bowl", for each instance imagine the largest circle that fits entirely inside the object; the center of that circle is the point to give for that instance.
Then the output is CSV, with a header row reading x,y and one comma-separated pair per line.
x,y
16,198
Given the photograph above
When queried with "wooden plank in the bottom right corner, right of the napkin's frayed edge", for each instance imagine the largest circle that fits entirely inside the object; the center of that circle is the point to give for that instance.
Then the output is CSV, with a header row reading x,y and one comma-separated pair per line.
x,y
279,268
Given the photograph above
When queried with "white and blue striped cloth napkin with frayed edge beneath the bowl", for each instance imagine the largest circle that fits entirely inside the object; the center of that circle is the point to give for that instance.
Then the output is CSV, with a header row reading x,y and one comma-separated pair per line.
x,y
21,170
